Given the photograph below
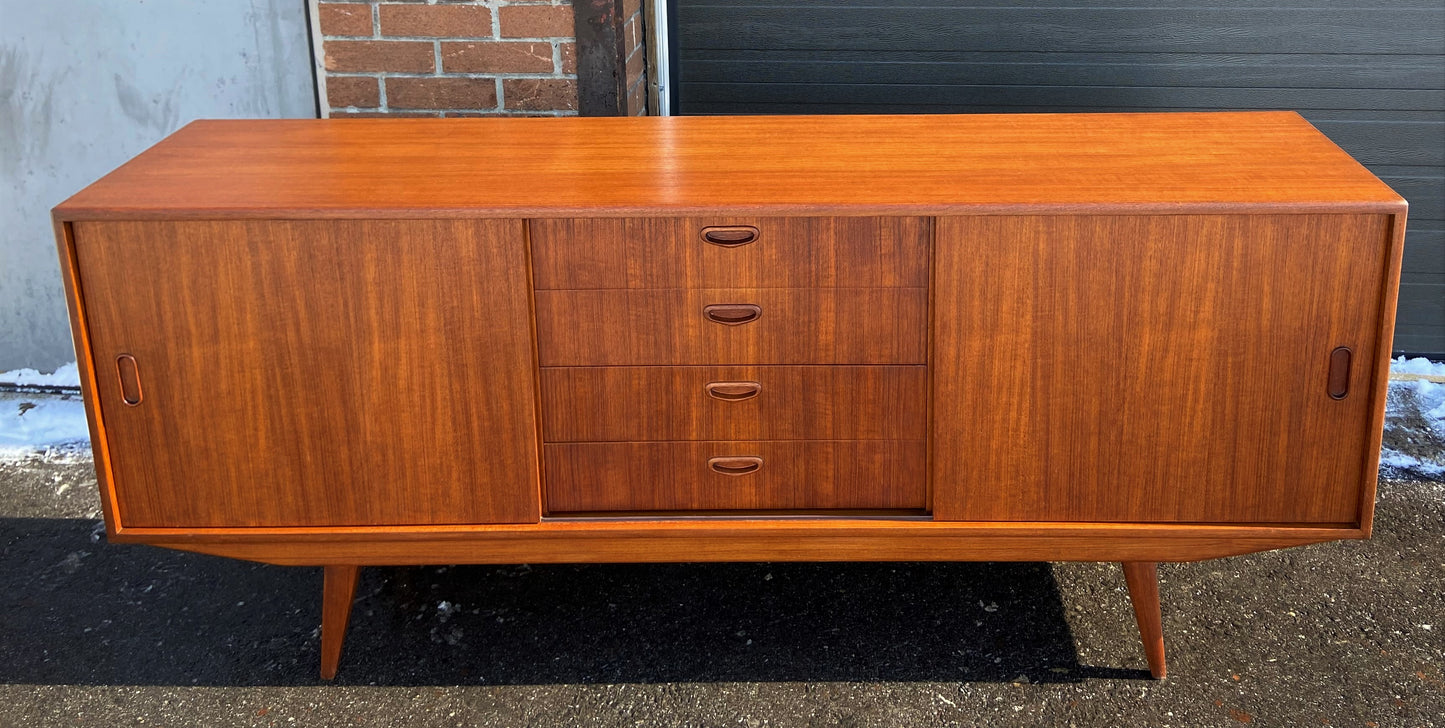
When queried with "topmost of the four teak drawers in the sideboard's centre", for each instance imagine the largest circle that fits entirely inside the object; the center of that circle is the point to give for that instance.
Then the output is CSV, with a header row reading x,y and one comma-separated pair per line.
x,y
645,253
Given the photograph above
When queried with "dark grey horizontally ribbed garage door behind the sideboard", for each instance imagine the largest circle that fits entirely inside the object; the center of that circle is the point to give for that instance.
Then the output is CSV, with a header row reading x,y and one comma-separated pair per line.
x,y
1369,73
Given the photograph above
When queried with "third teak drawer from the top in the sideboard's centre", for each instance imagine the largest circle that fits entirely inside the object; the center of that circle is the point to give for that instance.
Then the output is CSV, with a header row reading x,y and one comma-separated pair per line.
x,y
722,404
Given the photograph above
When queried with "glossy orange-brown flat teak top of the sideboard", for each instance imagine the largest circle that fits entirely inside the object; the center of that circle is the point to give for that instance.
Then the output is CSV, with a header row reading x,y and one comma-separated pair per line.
x,y
858,165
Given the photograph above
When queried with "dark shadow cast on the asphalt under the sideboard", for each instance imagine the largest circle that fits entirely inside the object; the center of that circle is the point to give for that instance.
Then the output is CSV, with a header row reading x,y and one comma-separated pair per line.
x,y
82,612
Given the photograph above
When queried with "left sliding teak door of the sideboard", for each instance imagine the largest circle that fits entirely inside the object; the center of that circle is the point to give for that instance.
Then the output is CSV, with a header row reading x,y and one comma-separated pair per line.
x,y
316,373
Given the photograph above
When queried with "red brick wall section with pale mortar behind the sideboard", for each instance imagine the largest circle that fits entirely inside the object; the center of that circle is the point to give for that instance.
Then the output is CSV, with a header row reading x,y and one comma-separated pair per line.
x,y
454,58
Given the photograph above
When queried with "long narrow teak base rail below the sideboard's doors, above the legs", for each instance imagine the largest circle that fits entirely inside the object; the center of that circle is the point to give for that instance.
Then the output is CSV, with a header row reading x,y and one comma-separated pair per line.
x,y
715,539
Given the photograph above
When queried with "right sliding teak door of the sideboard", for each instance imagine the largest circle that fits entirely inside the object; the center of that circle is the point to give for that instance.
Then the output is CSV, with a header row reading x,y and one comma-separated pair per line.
x,y
1155,369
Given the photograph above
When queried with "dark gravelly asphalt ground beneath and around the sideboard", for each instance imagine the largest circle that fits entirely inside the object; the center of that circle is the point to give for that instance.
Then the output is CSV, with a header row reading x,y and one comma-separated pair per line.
x,y
1346,635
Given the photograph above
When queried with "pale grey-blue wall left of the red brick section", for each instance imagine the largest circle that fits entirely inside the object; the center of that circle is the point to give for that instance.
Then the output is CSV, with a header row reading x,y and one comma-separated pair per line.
x,y
85,86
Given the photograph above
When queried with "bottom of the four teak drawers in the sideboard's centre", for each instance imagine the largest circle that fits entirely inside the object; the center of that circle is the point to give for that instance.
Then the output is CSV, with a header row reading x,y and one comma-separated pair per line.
x,y
735,476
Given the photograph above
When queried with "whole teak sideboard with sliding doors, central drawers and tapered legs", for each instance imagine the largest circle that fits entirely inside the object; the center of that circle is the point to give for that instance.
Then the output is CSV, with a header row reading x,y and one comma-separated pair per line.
x,y
1064,337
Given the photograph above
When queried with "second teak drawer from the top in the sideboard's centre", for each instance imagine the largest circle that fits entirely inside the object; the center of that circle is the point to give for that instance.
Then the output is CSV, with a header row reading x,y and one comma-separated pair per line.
x,y
713,327
